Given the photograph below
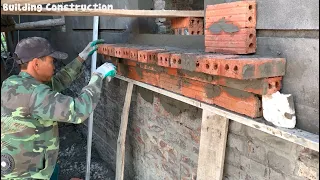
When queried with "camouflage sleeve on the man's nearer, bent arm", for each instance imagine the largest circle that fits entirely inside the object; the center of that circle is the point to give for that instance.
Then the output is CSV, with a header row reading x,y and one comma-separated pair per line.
x,y
51,105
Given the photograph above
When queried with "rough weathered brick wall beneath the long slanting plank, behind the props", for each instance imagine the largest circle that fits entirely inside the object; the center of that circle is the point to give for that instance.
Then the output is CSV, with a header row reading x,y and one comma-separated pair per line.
x,y
163,142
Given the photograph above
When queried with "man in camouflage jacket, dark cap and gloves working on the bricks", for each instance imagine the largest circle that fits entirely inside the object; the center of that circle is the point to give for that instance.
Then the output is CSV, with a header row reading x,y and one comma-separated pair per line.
x,y
31,107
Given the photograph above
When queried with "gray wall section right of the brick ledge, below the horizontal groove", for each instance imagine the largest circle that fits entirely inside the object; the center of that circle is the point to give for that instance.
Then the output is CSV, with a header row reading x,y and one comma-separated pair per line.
x,y
302,75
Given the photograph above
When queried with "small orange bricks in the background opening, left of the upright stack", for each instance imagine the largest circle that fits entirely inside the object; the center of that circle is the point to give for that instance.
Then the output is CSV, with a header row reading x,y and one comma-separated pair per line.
x,y
187,26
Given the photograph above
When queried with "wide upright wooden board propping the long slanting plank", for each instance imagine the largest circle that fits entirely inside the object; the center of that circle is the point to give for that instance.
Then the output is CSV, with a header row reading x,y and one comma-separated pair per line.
x,y
213,140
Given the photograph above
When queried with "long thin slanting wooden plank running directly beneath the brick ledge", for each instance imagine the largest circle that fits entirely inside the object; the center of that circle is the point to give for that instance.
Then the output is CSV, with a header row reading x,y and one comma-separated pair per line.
x,y
296,136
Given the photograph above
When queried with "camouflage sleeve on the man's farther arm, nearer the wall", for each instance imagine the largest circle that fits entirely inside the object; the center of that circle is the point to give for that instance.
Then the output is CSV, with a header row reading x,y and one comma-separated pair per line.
x,y
63,79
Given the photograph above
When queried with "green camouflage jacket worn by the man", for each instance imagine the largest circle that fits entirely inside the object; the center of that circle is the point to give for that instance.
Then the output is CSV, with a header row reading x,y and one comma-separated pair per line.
x,y
30,112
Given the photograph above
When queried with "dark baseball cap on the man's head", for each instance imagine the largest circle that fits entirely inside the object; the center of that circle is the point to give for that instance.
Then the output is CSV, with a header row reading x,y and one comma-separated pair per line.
x,y
35,47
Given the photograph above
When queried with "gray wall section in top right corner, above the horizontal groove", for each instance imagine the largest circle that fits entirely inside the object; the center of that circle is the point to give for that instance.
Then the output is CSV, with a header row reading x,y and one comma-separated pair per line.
x,y
284,15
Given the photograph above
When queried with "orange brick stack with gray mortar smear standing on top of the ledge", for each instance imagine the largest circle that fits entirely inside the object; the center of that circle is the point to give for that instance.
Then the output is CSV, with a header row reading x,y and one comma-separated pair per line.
x,y
231,28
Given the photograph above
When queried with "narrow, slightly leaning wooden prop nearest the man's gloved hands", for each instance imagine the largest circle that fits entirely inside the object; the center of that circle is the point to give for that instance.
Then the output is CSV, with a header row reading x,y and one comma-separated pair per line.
x,y
122,134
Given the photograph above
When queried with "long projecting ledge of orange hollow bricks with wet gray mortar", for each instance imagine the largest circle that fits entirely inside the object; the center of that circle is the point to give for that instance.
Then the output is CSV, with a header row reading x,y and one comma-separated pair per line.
x,y
233,82
